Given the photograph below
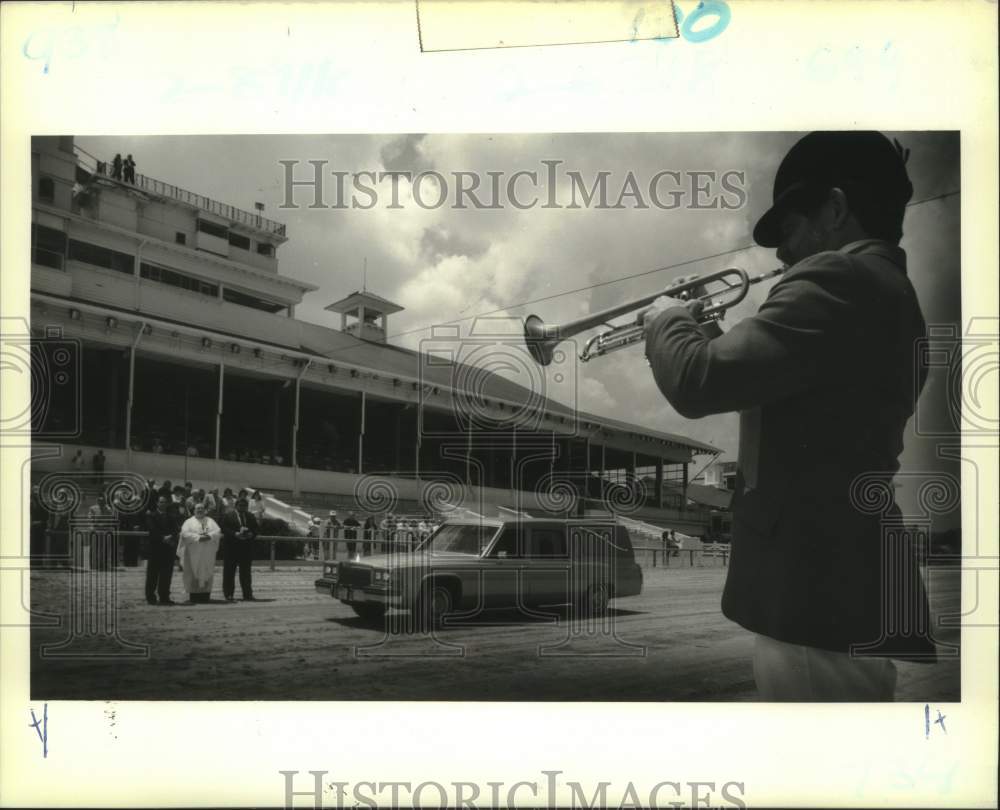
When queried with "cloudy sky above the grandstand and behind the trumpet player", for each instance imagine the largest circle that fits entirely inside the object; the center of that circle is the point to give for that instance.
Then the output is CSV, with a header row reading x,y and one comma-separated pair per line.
x,y
446,265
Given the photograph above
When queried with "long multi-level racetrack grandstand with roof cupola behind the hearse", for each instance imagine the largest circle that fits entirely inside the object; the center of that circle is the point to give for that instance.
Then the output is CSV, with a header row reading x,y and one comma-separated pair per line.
x,y
192,366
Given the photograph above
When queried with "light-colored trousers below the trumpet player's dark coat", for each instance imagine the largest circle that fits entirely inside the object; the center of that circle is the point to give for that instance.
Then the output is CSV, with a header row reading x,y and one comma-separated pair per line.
x,y
796,673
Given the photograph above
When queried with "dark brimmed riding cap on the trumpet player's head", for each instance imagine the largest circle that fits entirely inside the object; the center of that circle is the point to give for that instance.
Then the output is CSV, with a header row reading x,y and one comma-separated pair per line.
x,y
867,162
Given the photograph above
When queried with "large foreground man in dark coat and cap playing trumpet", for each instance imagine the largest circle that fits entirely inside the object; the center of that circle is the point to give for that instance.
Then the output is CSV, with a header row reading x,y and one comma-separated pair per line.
x,y
824,379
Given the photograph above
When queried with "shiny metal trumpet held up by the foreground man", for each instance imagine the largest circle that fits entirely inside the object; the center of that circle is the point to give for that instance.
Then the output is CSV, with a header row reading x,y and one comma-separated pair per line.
x,y
542,339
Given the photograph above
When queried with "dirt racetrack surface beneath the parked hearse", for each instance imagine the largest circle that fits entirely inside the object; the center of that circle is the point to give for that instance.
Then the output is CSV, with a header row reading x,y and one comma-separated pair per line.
x,y
669,644
